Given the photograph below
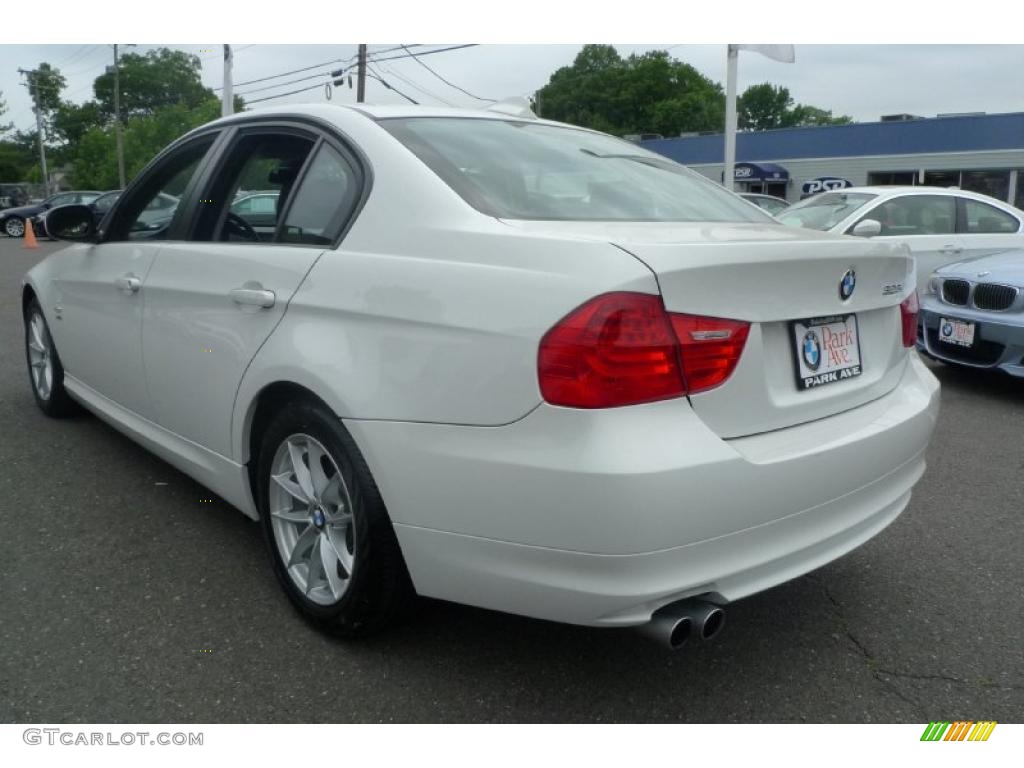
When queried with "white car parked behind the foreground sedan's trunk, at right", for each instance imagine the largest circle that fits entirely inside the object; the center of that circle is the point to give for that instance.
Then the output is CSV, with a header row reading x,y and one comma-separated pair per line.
x,y
940,226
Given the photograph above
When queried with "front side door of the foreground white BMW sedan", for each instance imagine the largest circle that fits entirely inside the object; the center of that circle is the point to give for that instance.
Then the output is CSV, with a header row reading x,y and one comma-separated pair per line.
x,y
101,289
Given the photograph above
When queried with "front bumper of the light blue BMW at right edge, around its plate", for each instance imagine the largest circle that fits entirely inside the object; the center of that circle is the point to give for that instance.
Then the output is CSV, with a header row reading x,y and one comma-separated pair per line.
x,y
999,339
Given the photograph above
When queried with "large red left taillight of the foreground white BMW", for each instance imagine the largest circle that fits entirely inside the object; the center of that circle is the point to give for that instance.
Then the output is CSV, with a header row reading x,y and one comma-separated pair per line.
x,y
624,349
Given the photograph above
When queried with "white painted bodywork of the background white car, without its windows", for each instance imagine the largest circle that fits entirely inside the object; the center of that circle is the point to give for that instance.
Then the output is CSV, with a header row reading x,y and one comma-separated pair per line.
x,y
932,251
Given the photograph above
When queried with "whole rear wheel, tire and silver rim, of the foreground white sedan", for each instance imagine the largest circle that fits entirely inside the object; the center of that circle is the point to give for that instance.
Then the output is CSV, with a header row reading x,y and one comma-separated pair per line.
x,y
331,542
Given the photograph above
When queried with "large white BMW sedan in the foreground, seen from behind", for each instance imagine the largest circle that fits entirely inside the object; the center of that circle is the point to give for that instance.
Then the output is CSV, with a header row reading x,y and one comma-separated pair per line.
x,y
494,360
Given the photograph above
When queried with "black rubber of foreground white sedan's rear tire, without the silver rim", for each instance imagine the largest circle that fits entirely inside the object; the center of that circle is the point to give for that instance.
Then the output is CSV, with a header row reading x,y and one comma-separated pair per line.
x,y
379,592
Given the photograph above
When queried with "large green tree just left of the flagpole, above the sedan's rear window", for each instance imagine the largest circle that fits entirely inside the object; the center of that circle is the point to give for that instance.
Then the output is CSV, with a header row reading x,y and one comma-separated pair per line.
x,y
642,94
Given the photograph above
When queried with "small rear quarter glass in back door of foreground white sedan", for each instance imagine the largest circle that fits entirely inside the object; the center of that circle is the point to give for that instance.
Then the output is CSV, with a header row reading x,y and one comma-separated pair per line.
x,y
326,196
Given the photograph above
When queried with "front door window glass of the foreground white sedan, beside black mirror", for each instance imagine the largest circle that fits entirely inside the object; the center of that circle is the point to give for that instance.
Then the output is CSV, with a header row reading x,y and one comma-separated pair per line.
x,y
148,214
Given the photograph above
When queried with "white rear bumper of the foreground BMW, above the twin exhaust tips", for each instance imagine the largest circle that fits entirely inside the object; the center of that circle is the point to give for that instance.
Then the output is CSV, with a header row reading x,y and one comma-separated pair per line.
x,y
603,518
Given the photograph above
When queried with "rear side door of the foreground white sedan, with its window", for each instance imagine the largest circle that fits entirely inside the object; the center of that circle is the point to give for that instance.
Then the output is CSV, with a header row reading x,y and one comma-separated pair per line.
x,y
212,303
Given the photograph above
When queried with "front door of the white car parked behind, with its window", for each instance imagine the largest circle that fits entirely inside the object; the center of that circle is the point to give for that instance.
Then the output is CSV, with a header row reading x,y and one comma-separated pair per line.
x,y
927,224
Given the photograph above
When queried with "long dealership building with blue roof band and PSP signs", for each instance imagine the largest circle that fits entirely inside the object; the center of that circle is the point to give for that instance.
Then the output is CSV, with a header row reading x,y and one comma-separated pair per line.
x,y
982,153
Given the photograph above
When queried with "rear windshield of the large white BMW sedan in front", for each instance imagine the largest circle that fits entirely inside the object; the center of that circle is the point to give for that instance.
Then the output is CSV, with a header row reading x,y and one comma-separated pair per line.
x,y
524,170
